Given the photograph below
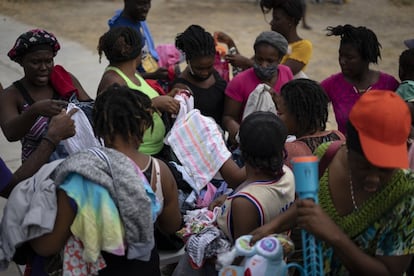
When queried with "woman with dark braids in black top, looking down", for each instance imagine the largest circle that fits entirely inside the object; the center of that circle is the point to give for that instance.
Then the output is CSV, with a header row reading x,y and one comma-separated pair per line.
x,y
200,76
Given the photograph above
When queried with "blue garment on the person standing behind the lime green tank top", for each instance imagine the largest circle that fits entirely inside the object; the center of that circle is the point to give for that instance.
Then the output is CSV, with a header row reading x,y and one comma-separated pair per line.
x,y
141,27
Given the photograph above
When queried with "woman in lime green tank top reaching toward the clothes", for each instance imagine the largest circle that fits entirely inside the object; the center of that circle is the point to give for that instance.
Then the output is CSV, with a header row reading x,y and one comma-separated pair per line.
x,y
122,47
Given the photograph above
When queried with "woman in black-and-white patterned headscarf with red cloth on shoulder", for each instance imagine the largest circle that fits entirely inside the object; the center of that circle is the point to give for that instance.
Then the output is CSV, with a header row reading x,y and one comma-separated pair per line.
x,y
27,105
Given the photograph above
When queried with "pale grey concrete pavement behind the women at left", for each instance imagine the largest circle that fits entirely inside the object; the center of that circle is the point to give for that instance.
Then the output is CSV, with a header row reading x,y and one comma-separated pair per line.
x,y
80,61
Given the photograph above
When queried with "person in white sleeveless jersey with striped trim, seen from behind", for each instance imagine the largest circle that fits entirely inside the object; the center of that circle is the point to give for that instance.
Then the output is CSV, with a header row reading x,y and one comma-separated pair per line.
x,y
267,191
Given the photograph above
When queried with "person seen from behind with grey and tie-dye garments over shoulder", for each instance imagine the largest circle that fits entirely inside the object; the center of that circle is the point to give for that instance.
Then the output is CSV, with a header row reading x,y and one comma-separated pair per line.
x,y
141,188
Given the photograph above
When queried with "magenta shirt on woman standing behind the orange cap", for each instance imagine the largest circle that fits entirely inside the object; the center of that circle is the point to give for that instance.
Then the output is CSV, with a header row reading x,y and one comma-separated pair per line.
x,y
343,96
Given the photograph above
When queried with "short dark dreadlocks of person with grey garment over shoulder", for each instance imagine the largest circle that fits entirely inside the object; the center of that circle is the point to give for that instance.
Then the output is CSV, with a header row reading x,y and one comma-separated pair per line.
x,y
120,110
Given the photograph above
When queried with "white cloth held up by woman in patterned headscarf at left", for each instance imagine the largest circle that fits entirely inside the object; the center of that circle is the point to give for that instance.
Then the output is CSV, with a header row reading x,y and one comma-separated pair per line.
x,y
84,137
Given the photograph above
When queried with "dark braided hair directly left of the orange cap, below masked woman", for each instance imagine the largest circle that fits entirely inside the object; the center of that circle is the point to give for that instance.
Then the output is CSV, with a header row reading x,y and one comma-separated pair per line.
x,y
307,102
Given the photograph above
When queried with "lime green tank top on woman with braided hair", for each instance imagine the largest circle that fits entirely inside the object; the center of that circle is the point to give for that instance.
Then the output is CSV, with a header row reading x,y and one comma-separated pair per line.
x,y
153,140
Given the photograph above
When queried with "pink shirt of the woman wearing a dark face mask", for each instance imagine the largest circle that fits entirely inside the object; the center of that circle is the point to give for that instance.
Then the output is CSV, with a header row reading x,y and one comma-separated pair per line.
x,y
242,85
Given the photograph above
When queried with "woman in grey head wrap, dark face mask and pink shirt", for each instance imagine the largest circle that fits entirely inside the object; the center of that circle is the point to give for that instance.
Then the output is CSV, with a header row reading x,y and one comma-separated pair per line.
x,y
269,49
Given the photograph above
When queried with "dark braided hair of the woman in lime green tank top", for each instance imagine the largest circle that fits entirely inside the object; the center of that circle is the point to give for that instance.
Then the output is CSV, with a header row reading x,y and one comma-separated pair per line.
x,y
120,44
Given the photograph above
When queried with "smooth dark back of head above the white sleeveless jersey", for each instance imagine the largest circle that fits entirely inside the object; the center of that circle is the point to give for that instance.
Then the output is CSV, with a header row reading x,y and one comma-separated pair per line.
x,y
262,139
